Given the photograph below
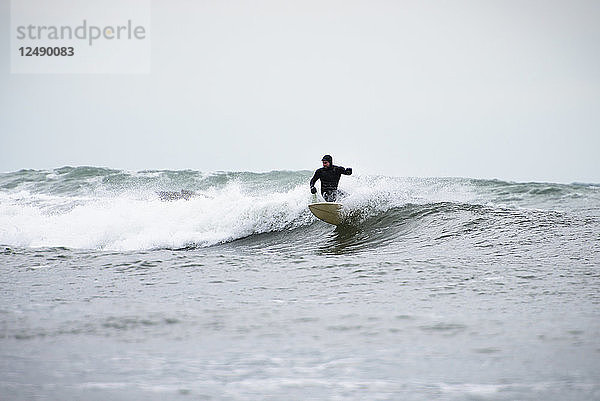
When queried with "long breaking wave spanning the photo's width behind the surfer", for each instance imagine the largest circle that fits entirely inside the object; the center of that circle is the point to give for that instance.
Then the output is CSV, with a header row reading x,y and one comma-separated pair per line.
x,y
98,208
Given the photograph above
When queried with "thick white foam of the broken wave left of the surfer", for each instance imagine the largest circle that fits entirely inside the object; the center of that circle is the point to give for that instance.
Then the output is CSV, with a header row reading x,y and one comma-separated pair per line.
x,y
132,223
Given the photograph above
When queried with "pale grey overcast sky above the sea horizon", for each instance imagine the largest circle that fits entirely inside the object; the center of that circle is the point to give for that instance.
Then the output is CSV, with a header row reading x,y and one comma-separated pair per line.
x,y
483,89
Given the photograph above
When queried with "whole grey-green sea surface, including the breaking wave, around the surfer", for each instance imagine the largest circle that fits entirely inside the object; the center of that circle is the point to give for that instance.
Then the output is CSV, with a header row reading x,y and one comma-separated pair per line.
x,y
117,285
